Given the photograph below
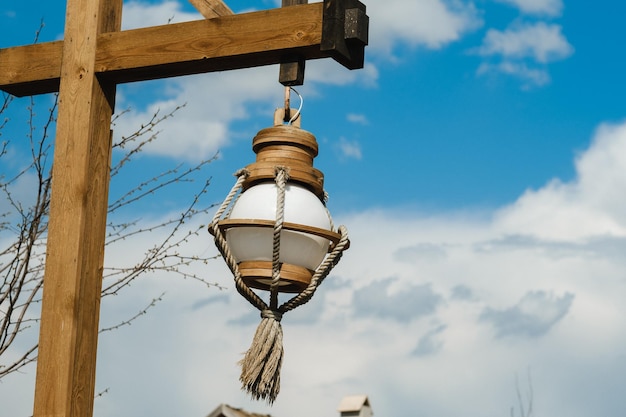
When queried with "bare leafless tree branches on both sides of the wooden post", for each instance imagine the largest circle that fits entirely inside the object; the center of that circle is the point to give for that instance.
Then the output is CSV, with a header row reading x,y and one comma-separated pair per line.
x,y
24,223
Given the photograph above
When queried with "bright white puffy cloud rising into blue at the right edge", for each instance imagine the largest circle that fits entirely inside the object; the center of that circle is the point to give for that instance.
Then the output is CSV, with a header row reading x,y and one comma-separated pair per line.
x,y
590,205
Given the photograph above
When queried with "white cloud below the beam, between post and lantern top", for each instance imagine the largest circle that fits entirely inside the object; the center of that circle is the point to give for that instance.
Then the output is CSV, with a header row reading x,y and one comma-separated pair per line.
x,y
213,102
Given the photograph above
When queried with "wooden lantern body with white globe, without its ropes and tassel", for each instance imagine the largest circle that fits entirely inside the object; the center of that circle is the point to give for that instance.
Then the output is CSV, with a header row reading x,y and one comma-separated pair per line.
x,y
306,234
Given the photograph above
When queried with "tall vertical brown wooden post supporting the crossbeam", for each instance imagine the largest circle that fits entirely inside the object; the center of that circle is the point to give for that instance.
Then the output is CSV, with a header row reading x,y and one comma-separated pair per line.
x,y
73,275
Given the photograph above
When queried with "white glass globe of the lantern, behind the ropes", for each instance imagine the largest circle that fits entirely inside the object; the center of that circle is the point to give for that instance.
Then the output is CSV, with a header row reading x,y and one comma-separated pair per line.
x,y
296,248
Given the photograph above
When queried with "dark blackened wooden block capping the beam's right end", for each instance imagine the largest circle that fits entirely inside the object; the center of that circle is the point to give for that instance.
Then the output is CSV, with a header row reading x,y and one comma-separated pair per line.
x,y
345,32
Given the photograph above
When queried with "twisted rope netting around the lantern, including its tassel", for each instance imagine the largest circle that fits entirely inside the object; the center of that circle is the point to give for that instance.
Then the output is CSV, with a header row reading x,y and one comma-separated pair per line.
x,y
260,366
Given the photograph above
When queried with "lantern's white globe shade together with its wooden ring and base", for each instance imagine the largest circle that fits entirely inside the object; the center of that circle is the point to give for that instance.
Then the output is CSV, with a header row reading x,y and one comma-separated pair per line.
x,y
302,249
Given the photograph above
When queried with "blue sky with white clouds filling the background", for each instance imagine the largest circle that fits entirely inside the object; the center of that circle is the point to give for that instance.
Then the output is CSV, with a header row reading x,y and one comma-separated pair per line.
x,y
478,162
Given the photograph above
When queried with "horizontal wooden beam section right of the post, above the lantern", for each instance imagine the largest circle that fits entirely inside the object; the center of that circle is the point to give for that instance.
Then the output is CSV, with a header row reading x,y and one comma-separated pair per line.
x,y
225,43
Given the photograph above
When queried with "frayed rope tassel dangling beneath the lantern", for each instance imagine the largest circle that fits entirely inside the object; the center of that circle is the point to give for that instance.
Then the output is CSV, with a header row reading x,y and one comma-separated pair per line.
x,y
260,367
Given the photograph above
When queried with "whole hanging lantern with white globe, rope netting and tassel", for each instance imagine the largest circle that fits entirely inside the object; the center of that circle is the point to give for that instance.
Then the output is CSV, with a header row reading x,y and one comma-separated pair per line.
x,y
275,234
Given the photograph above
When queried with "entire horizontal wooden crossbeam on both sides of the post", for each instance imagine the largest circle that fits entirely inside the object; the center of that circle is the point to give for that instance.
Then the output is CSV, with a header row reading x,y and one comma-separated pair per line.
x,y
224,43
